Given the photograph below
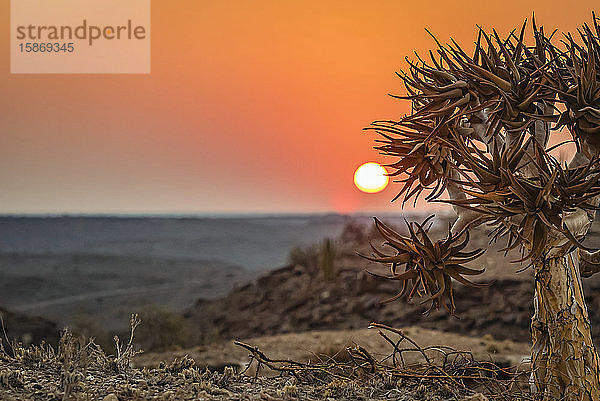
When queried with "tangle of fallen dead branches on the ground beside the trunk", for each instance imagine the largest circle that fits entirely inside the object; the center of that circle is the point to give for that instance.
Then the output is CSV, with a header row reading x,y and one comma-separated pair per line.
x,y
453,368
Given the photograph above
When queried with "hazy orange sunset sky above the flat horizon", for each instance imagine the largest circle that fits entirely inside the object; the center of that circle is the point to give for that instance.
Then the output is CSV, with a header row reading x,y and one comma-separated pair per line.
x,y
251,106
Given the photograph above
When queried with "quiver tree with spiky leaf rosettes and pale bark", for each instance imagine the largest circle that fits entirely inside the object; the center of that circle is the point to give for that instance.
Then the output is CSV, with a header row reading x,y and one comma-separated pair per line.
x,y
477,138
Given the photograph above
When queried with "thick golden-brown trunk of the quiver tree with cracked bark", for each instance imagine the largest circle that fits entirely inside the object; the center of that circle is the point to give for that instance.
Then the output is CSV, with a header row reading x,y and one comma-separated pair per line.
x,y
564,360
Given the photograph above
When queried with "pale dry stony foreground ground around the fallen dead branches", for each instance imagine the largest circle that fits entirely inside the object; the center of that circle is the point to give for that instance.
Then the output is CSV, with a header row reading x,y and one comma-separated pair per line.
x,y
79,370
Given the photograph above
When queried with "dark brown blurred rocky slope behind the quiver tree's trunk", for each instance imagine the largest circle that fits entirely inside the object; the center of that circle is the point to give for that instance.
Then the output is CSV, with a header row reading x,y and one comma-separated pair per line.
x,y
294,299
